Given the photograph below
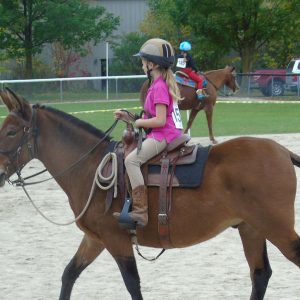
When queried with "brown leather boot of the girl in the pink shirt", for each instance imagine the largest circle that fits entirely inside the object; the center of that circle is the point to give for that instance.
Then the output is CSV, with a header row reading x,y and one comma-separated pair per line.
x,y
139,212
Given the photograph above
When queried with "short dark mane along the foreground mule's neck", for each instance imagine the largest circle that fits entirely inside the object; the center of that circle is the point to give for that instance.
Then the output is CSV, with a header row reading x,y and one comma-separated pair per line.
x,y
75,121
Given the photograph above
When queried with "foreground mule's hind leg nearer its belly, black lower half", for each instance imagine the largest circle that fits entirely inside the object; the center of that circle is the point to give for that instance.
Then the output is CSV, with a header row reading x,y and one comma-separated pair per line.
x,y
255,249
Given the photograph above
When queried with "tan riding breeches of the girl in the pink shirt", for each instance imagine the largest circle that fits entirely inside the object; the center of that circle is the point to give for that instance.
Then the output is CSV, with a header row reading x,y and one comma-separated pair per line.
x,y
133,161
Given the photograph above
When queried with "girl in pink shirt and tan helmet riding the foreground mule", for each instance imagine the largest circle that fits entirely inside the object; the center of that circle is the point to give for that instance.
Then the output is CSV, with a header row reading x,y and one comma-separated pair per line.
x,y
161,119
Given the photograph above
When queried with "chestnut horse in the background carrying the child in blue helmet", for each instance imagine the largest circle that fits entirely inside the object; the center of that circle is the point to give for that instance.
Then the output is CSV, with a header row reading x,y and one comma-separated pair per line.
x,y
216,79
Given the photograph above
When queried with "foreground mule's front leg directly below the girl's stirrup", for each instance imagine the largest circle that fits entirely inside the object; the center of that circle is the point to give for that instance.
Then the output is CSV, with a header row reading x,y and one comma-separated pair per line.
x,y
122,252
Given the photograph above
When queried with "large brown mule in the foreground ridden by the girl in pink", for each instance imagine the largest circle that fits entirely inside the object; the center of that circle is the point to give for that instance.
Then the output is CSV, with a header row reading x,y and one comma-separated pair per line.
x,y
249,183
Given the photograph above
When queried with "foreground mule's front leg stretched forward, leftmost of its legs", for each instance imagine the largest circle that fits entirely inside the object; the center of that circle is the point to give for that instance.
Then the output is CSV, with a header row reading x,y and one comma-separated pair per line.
x,y
88,250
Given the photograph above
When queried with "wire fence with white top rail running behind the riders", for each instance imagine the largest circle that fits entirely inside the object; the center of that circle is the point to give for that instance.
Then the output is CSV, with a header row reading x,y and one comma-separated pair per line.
x,y
127,87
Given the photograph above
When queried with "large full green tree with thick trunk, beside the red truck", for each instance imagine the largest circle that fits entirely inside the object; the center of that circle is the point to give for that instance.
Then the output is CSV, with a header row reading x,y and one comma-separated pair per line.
x,y
243,26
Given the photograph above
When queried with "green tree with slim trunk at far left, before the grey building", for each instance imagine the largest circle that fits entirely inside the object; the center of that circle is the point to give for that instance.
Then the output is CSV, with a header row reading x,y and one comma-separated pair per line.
x,y
27,25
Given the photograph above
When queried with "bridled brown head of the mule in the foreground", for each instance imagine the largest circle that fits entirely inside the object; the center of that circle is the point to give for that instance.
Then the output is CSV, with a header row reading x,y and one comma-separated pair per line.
x,y
16,136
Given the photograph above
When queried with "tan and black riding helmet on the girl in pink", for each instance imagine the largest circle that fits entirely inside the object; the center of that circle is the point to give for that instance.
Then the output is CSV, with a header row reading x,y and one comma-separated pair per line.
x,y
158,51
